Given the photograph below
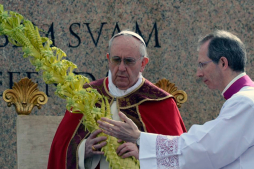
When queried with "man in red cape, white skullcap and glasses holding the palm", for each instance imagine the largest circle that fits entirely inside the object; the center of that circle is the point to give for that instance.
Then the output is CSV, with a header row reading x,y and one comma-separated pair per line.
x,y
152,109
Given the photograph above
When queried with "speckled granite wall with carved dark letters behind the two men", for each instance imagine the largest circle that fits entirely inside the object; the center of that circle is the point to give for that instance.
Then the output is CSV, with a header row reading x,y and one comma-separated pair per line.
x,y
82,29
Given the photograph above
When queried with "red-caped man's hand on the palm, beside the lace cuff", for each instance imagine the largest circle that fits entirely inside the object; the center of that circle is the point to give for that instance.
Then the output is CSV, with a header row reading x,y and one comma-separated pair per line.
x,y
128,149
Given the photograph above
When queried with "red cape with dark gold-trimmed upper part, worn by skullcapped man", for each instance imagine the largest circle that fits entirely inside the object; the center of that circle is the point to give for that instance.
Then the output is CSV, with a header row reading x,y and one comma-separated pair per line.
x,y
151,108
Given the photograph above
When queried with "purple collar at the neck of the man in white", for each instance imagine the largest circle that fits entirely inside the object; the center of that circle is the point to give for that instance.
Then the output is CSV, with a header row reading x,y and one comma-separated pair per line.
x,y
237,85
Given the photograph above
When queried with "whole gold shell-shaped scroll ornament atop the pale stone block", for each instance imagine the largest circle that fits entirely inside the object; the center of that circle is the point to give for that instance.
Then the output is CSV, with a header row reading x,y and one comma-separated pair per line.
x,y
25,95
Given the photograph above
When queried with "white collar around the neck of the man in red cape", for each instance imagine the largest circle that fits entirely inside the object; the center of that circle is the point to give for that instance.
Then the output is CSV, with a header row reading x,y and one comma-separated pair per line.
x,y
116,92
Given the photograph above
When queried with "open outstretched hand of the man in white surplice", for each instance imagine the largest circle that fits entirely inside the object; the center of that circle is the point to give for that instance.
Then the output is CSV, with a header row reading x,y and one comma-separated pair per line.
x,y
125,130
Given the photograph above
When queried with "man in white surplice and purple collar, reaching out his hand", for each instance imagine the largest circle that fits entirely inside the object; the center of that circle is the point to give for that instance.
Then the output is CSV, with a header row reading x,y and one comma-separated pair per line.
x,y
226,142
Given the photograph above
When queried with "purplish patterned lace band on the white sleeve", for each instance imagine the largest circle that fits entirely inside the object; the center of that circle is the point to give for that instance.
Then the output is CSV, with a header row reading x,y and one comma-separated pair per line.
x,y
166,152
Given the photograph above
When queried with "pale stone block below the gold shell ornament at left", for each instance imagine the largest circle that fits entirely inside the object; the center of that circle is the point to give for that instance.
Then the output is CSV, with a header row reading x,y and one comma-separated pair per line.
x,y
34,137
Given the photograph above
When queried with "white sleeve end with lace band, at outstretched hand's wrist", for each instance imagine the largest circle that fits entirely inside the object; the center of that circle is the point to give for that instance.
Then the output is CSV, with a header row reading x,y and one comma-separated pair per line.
x,y
159,151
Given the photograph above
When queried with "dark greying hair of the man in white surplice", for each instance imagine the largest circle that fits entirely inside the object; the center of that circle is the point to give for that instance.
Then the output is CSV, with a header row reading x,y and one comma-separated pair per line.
x,y
223,43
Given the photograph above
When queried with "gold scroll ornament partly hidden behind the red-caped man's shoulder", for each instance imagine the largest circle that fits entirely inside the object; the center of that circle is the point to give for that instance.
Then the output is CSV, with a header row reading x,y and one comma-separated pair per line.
x,y
179,95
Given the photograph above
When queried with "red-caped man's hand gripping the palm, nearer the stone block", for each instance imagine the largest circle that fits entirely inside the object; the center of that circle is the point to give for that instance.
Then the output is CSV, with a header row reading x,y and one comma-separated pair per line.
x,y
94,144
